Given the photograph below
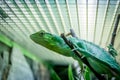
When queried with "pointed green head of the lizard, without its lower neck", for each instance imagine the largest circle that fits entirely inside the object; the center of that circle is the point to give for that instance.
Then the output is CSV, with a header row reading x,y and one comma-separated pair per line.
x,y
46,39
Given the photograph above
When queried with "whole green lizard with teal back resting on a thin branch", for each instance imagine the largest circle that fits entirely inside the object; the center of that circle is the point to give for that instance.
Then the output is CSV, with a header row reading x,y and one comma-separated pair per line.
x,y
98,58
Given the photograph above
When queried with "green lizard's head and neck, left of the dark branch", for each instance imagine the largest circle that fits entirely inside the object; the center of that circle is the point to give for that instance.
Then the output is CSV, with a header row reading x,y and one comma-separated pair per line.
x,y
51,41
